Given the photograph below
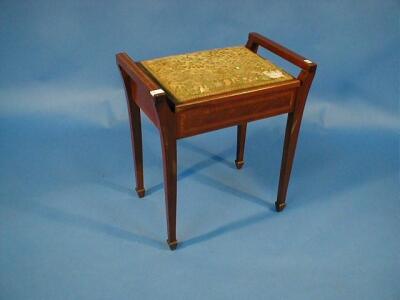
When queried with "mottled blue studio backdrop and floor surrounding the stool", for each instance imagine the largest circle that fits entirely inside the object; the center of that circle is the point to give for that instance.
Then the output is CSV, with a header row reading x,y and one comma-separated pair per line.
x,y
71,225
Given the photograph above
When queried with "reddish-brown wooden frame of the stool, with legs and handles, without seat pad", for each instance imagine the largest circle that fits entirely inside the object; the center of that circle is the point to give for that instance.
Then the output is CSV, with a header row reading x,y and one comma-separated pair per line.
x,y
237,108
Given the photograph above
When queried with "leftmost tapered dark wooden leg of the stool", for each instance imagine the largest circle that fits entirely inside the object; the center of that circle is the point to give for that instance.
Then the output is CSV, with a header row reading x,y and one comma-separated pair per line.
x,y
136,135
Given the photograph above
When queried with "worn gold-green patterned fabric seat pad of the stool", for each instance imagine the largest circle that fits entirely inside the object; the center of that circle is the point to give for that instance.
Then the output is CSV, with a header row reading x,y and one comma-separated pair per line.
x,y
187,77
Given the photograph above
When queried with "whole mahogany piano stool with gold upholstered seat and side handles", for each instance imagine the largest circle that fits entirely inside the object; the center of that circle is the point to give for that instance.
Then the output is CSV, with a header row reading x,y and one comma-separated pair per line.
x,y
189,94
